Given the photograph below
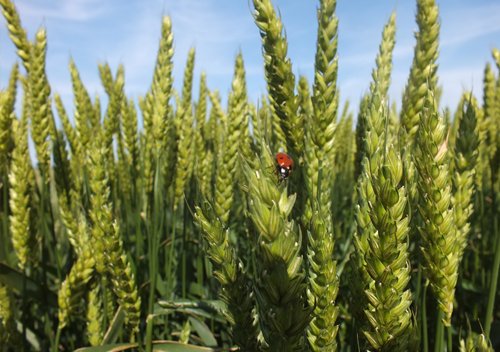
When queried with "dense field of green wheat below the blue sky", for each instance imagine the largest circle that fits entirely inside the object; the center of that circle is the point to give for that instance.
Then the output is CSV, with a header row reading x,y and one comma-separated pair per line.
x,y
185,235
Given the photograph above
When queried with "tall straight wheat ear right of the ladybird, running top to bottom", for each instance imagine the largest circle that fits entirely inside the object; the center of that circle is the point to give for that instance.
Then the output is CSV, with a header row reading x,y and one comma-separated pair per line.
x,y
319,157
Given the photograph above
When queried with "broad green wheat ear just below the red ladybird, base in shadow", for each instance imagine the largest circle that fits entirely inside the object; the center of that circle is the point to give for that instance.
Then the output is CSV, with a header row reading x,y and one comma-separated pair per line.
x,y
280,284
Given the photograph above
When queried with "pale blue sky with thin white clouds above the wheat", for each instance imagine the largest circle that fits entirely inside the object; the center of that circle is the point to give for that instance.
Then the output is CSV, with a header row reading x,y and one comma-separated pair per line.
x,y
114,31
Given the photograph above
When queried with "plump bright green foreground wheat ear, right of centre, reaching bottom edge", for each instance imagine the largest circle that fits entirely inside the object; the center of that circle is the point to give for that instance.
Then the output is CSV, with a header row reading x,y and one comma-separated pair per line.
x,y
387,259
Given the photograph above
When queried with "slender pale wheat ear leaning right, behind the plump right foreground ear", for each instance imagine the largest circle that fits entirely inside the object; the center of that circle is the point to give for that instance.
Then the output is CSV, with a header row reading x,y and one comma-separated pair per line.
x,y
371,133
